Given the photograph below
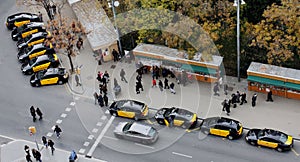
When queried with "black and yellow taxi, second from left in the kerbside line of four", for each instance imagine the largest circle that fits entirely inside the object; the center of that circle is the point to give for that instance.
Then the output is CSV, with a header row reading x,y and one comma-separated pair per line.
x,y
177,117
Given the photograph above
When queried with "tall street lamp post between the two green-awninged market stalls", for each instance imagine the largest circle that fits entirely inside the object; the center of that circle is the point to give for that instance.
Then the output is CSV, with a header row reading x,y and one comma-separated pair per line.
x,y
237,4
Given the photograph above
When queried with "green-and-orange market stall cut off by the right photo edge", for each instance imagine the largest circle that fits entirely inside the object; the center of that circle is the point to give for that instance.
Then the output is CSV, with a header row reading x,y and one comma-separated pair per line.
x,y
282,81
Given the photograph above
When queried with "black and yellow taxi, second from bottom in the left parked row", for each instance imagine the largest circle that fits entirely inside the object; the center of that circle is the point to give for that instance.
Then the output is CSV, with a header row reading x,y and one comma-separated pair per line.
x,y
40,63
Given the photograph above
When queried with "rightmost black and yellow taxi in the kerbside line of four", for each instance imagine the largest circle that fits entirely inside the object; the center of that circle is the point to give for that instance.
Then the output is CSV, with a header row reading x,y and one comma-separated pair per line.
x,y
270,138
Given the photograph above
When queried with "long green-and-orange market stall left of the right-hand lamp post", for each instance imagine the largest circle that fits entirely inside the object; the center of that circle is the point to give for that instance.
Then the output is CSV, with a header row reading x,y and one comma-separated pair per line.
x,y
177,62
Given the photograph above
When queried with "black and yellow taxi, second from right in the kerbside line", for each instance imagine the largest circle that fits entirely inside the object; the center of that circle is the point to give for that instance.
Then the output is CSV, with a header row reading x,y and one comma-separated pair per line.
x,y
221,126
